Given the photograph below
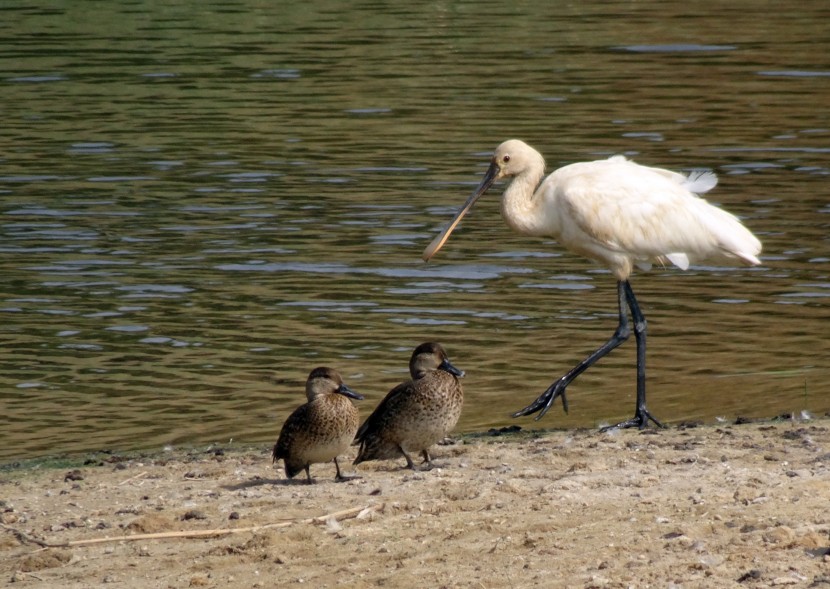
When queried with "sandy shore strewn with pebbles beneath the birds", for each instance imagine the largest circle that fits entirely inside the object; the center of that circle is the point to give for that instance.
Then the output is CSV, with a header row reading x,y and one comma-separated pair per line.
x,y
714,506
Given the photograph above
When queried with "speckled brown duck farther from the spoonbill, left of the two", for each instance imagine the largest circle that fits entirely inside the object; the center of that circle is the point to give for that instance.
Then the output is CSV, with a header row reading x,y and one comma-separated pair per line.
x,y
321,429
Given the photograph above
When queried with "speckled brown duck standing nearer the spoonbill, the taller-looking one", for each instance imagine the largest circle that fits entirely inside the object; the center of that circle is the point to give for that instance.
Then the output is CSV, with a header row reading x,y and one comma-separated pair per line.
x,y
415,414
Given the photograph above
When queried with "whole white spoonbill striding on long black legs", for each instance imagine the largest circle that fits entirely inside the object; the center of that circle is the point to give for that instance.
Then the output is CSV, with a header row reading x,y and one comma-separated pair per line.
x,y
622,215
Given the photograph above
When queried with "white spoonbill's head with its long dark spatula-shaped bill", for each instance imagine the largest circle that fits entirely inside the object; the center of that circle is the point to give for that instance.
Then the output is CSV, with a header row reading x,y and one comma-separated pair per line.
x,y
511,158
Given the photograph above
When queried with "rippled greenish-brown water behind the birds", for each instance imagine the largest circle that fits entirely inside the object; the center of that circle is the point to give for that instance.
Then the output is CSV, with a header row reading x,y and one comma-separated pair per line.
x,y
203,201
